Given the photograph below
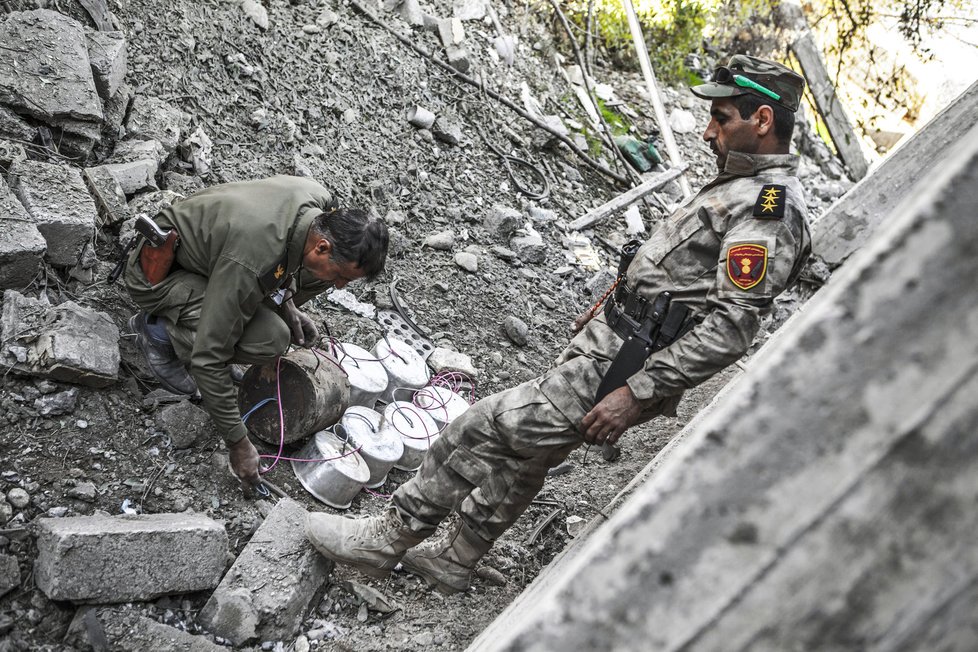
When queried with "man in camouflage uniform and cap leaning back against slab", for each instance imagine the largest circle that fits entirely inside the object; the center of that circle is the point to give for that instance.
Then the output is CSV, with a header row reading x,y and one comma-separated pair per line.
x,y
689,304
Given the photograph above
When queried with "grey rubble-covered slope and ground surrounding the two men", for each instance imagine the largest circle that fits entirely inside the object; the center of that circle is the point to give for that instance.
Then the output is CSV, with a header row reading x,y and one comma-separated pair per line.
x,y
98,126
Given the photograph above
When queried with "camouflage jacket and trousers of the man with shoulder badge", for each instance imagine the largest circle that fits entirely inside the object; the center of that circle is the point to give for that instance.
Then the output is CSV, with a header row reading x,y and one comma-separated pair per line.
x,y
490,462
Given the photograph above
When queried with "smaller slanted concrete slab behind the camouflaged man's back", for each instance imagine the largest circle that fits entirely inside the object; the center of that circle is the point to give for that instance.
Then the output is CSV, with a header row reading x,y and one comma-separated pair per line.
x,y
851,221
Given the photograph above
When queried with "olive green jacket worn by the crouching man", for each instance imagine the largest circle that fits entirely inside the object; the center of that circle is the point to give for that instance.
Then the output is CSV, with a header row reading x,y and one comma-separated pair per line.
x,y
246,238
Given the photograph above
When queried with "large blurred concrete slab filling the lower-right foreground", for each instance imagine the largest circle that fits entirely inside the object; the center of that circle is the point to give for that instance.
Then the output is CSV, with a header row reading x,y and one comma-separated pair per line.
x,y
827,501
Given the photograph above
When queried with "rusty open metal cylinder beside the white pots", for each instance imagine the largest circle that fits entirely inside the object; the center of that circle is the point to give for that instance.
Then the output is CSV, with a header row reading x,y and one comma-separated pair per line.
x,y
314,390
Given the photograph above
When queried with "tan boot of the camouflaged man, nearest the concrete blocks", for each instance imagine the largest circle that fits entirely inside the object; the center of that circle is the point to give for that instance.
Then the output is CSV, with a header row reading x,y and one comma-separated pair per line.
x,y
373,545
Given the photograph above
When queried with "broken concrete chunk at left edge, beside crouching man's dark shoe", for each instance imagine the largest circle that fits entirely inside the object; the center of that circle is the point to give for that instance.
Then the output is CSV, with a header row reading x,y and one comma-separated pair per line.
x,y
67,342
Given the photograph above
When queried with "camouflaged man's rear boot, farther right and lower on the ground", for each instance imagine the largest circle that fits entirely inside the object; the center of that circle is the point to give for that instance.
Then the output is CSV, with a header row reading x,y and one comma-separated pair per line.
x,y
448,565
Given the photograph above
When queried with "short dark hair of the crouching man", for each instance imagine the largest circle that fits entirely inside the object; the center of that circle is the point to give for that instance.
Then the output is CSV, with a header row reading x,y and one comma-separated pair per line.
x,y
356,238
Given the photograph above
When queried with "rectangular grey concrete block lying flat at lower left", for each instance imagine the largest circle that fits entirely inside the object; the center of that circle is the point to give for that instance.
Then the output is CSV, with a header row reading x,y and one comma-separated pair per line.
x,y
126,558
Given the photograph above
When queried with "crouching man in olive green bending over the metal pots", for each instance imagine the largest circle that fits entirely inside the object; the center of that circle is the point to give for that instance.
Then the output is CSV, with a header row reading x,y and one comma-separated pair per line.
x,y
246,256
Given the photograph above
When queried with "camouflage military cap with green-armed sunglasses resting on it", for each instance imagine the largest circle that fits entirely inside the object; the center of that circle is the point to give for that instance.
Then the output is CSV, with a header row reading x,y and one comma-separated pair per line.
x,y
745,74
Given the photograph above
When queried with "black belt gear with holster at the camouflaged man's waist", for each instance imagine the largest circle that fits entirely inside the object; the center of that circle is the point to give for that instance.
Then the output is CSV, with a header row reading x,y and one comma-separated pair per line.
x,y
646,327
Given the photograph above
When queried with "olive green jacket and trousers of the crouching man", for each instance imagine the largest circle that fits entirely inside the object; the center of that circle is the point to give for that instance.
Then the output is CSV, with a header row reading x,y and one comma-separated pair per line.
x,y
240,243
